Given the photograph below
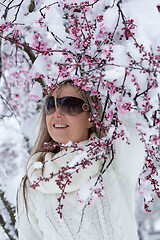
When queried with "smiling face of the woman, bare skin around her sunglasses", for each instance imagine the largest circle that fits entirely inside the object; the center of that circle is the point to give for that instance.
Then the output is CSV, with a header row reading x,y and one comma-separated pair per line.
x,y
64,128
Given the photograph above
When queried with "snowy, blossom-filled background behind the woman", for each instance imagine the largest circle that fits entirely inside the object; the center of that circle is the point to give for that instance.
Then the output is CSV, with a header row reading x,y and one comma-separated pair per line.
x,y
30,31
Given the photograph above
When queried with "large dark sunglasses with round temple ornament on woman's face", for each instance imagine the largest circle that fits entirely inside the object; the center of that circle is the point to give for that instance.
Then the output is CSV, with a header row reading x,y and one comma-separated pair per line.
x,y
69,105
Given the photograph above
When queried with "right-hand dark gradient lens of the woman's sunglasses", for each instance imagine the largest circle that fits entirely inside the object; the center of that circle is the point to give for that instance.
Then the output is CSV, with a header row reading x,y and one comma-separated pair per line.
x,y
72,106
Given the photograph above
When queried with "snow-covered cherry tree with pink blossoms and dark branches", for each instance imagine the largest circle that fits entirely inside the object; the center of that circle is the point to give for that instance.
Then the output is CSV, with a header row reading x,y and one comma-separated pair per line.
x,y
109,48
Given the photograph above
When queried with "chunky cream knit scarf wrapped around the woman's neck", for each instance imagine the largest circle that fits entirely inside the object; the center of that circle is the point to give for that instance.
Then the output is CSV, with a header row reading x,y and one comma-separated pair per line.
x,y
53,164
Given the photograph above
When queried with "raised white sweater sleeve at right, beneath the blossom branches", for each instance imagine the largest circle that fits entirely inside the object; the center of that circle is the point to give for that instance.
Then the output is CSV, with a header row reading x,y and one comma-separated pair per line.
x,y
129,159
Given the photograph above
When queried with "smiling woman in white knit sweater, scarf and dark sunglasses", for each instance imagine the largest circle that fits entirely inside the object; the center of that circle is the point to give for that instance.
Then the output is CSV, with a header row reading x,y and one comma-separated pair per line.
x,y
51,200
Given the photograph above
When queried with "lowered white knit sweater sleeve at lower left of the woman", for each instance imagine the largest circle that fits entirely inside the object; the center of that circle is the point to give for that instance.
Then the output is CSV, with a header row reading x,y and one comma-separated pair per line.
x,y
27,223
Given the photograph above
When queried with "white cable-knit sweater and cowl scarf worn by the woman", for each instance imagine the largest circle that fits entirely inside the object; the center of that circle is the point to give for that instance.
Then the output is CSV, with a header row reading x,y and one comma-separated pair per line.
x,y
110,217
